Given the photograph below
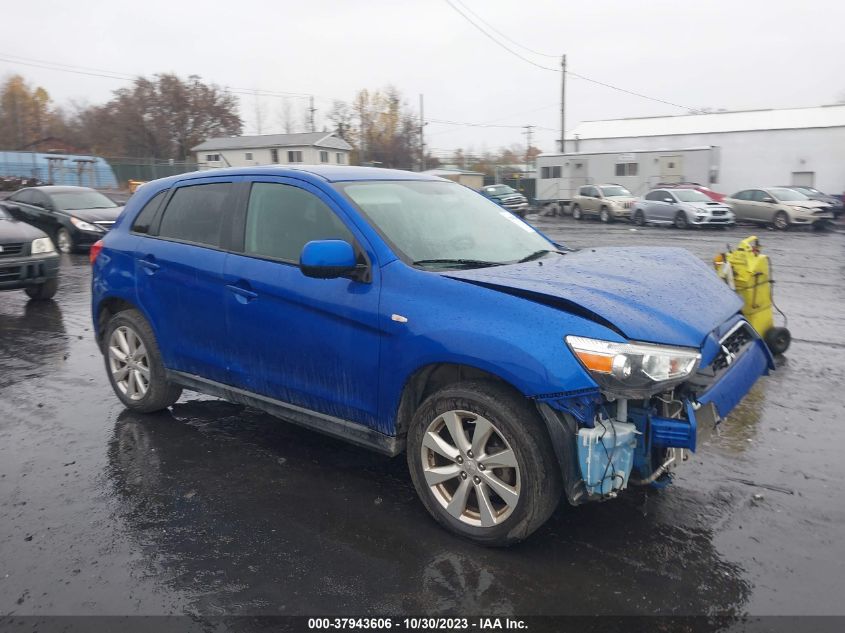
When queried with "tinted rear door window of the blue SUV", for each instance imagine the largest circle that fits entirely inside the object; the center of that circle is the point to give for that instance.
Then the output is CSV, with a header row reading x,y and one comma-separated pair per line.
x,y
196,214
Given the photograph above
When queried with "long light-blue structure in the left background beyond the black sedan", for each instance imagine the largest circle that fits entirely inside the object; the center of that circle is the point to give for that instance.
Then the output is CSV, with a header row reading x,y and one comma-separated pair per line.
x,y
59,169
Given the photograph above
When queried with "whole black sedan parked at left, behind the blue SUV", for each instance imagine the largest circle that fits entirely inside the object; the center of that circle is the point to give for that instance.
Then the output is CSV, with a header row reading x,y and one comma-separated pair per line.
x,y
75,217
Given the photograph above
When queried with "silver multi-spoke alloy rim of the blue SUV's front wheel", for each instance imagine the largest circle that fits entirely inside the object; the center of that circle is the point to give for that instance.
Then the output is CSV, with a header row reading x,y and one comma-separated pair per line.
x,y
470,468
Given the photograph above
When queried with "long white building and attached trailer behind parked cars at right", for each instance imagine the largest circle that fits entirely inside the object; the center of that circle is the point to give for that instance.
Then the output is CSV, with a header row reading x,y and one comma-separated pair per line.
x,y
755,148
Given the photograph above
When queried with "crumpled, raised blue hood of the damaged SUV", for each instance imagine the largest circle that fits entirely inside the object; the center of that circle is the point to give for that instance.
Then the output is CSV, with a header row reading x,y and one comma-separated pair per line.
x,y
658,295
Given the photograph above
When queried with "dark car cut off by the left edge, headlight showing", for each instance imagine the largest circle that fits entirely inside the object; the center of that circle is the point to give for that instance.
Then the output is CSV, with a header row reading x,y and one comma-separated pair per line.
x,y
28,258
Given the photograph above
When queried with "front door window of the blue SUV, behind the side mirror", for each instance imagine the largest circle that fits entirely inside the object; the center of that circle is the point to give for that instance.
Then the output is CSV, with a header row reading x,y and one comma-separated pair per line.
x,y
281,219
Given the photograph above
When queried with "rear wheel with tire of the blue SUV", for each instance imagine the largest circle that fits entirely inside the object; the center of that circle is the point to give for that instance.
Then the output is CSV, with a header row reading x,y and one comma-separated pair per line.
x,y
133,364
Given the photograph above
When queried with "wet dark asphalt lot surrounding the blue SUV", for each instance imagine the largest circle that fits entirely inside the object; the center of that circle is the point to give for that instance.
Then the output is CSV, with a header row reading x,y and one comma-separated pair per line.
x,y
215,509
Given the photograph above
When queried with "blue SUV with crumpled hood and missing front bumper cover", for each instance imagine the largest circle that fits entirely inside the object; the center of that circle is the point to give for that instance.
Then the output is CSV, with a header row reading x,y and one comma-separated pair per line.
x,y
405,313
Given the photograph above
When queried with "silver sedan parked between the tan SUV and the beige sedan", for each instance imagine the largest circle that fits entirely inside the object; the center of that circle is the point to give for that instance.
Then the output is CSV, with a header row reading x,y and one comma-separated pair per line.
x,y
682,207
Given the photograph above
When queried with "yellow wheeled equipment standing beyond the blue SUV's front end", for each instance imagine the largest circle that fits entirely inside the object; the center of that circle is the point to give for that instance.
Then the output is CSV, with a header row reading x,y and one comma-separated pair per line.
x,y
747,271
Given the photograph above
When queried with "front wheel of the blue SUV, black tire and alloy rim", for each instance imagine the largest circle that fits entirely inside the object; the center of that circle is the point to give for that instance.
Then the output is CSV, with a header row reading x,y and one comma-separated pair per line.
x,y
482,464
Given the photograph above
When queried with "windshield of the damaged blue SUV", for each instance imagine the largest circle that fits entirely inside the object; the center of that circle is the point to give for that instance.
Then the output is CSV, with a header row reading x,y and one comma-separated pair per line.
x,y
442,225
